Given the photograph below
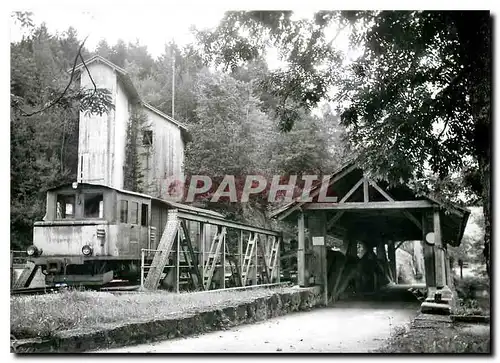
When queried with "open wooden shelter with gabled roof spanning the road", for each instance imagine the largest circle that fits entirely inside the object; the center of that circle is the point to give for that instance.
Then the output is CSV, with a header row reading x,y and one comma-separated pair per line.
x,y
376,217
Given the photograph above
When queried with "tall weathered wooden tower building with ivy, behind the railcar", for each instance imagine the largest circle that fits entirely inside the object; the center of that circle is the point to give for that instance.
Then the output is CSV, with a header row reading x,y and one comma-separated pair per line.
x,y
103,139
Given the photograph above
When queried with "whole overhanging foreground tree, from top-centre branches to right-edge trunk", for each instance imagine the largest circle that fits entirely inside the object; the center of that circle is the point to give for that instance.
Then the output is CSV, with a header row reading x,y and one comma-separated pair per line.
x,y
418,98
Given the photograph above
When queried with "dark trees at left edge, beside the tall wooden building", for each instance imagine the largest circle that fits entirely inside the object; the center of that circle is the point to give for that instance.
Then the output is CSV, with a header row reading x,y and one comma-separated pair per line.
x,y
44,123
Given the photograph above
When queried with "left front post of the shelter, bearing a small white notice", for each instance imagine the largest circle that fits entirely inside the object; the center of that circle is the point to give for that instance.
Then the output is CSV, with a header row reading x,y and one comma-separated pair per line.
x,y
317,230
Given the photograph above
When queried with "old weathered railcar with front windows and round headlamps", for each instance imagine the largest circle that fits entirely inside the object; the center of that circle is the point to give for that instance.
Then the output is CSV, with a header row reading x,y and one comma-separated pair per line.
x,y
92,234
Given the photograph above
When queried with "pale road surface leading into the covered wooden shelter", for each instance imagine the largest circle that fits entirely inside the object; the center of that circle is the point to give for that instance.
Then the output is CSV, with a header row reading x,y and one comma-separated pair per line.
x,y
347,327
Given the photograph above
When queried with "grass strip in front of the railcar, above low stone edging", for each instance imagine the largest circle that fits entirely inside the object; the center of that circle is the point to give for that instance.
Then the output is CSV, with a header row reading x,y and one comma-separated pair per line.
x,y
45,315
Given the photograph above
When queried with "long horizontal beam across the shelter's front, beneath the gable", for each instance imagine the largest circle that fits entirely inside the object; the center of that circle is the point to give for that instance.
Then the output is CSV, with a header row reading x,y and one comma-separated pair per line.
x,y
410,204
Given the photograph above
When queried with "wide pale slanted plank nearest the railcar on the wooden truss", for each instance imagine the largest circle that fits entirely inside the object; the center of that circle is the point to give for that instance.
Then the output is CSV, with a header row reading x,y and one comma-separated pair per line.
x,y
163,251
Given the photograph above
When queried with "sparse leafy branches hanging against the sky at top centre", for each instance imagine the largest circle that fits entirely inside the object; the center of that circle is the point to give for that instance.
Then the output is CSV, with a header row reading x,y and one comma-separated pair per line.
x,y
309,56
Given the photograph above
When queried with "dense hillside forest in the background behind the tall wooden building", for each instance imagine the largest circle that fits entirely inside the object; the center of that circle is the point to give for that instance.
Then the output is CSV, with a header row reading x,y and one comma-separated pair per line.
x,y
232,120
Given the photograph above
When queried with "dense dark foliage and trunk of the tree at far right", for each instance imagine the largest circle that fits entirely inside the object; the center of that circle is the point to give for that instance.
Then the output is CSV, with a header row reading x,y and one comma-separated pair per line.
x,y
420,95
